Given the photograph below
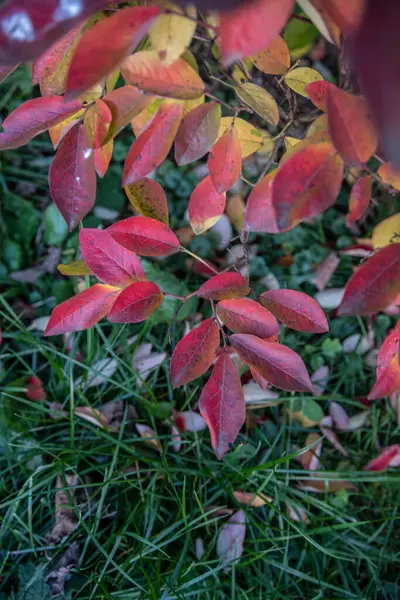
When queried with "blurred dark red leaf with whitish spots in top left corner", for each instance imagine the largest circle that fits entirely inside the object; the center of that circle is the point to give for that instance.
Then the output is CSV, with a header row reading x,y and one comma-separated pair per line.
x,y
30,27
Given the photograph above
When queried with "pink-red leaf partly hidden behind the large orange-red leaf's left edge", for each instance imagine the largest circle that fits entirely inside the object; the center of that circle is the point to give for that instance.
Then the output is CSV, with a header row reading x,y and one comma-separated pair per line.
x,y
260,214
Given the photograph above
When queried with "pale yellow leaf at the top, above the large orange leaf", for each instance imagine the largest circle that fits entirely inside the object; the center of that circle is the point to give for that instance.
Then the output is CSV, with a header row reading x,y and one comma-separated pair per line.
x,y
172,33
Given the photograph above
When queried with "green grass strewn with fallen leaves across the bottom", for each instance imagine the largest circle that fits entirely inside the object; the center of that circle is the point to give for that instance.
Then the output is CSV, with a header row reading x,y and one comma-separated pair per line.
x,y
140,512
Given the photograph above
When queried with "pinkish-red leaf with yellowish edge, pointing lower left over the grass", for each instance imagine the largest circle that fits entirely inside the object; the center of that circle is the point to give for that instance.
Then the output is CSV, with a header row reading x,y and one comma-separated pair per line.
x,y
82,311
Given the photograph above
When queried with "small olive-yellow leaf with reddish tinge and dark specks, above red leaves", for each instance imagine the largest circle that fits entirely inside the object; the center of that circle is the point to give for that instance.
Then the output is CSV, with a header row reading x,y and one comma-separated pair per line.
x,y
149,199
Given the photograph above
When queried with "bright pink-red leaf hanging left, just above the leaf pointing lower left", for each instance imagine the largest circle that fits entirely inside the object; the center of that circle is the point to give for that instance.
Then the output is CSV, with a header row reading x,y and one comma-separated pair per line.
x,y
109,261
